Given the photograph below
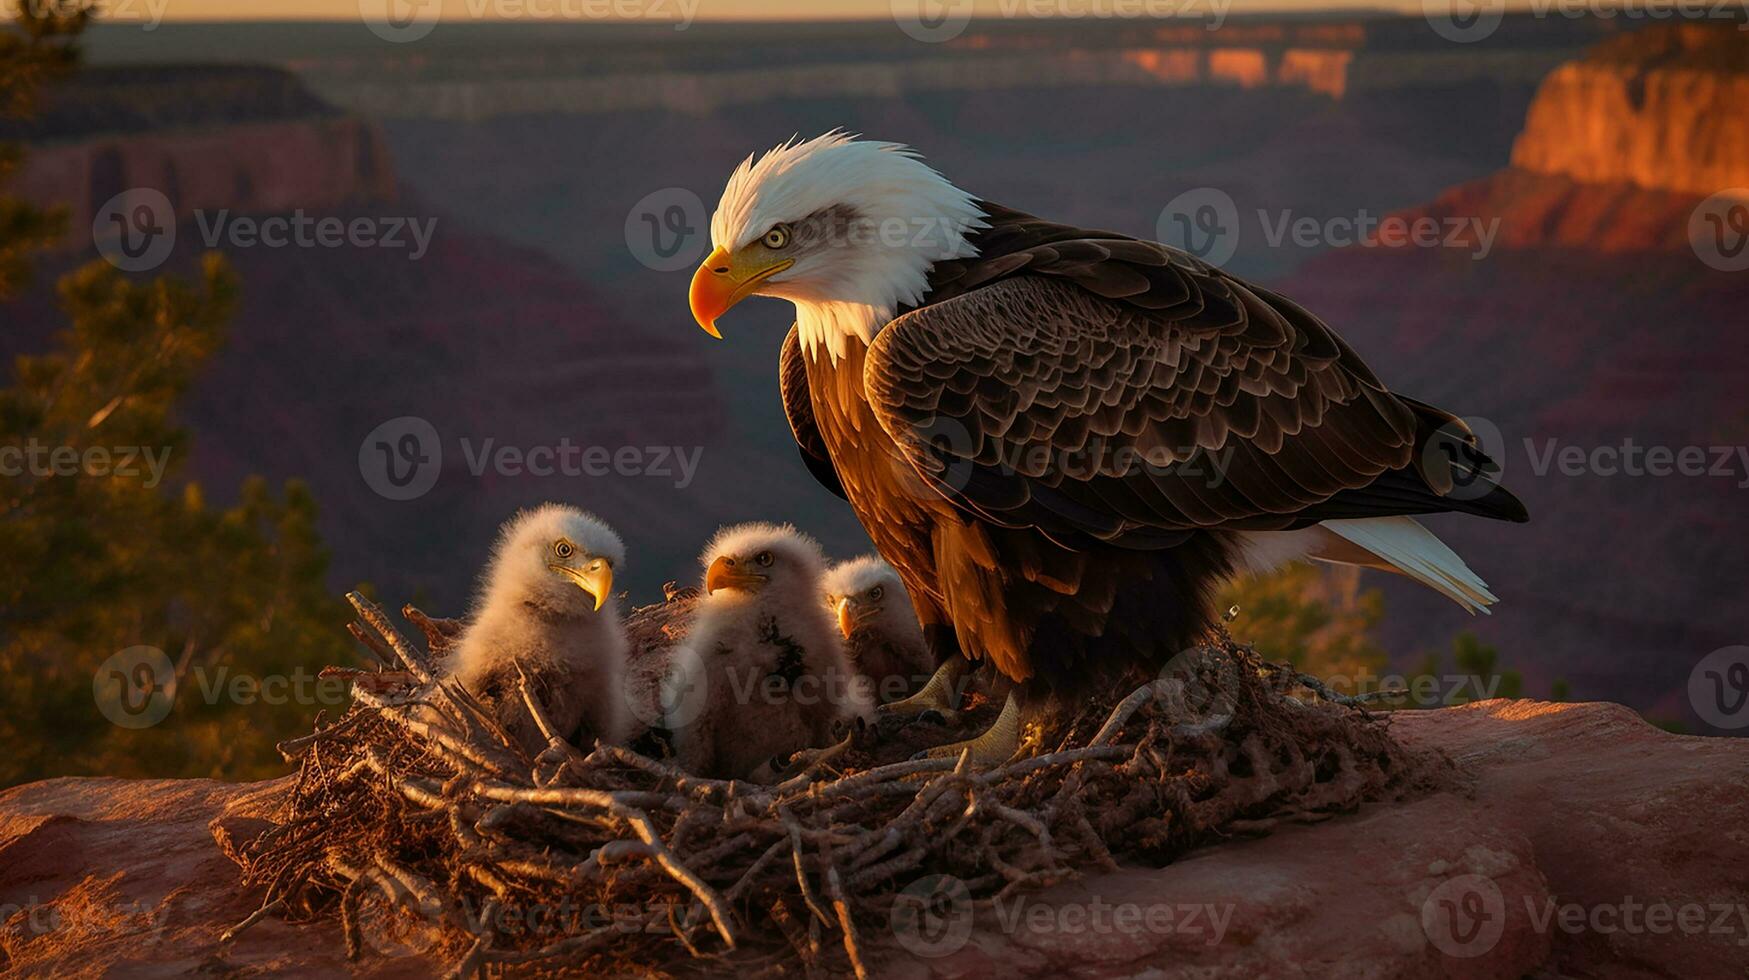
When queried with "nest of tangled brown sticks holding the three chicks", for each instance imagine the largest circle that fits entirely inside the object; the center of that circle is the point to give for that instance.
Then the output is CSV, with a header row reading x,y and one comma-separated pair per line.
x,y
422,829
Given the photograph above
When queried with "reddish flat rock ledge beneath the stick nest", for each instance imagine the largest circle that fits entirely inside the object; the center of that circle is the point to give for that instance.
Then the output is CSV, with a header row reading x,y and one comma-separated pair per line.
x,y
1584,844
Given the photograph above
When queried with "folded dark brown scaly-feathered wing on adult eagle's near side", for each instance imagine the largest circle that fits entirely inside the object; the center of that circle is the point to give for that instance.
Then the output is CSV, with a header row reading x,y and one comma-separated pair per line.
x,y
1125,391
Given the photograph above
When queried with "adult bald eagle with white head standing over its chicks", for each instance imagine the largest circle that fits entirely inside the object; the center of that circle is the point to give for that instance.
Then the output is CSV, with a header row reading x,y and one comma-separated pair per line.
x,y
1066,440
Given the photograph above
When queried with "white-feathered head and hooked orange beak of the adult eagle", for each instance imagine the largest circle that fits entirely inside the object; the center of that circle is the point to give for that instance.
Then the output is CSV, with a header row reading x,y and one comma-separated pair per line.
x,y
844,228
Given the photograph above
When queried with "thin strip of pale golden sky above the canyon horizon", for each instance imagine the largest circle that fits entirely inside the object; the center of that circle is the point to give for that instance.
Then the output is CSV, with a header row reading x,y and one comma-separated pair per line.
x,y
716,10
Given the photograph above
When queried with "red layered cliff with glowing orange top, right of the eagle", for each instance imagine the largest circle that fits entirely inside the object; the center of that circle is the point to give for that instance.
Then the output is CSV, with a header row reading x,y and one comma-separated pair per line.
x,y
1599,328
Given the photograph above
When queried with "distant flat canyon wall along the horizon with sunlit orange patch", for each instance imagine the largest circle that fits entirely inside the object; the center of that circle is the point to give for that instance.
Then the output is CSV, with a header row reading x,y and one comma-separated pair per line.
x,y
1335,60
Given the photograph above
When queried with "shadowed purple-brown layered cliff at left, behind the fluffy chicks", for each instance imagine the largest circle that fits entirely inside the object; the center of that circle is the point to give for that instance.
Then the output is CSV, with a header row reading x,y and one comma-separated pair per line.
x,y
505,353
